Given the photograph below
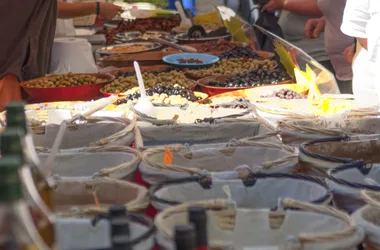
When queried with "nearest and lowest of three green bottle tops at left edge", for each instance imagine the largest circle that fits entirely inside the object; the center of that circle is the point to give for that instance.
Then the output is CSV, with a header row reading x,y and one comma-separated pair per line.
x,y
10,183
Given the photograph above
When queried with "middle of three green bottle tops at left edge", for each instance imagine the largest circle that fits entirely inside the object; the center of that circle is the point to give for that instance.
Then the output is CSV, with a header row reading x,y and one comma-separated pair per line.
x,y
10,143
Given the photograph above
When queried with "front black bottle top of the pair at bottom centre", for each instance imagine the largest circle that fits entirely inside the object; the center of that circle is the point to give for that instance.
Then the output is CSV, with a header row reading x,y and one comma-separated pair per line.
x,y
184,236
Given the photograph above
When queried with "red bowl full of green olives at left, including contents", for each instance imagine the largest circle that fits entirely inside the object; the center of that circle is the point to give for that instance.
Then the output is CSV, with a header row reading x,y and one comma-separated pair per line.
x,y
66,87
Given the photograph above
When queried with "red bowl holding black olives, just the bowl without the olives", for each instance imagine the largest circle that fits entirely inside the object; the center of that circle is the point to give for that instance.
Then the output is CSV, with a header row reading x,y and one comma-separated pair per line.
x,y
213,90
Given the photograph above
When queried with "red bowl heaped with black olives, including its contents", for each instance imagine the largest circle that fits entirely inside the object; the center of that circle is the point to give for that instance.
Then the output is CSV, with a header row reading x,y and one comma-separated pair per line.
x,y
215,85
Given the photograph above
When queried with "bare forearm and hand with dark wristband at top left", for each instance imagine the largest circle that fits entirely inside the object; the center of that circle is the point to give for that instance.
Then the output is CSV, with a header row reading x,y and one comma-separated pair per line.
x,y
72,10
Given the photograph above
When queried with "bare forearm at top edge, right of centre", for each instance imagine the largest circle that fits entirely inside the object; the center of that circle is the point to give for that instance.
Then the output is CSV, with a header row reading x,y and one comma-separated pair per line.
x,y
303,7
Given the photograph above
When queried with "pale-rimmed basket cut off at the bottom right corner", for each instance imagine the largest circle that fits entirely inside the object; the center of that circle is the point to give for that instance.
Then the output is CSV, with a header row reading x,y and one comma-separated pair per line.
x,y
368,217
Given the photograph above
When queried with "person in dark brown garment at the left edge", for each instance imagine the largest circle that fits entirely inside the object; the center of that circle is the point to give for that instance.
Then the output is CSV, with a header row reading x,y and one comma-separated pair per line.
x,y
27,29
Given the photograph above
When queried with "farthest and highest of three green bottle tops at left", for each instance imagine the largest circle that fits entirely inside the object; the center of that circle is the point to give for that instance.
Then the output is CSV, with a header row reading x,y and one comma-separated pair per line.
x,y
16,117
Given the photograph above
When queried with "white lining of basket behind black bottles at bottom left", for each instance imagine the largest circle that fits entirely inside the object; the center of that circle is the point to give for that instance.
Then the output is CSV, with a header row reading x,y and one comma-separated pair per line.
x,y
78,233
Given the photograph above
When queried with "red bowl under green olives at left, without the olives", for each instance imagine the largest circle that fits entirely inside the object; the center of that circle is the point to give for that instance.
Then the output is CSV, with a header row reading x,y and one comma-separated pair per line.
x,y
78,93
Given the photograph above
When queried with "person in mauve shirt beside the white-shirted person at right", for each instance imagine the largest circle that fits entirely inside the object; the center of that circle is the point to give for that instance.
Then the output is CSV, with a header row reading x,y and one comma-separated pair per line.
x,y
339,46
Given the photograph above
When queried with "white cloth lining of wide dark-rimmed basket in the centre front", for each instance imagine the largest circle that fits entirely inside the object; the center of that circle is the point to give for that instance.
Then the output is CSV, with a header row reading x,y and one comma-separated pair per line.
x,y
264,194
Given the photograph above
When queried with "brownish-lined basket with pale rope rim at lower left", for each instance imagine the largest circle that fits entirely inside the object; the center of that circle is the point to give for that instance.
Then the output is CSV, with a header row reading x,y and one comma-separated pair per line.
x,y
74,197
